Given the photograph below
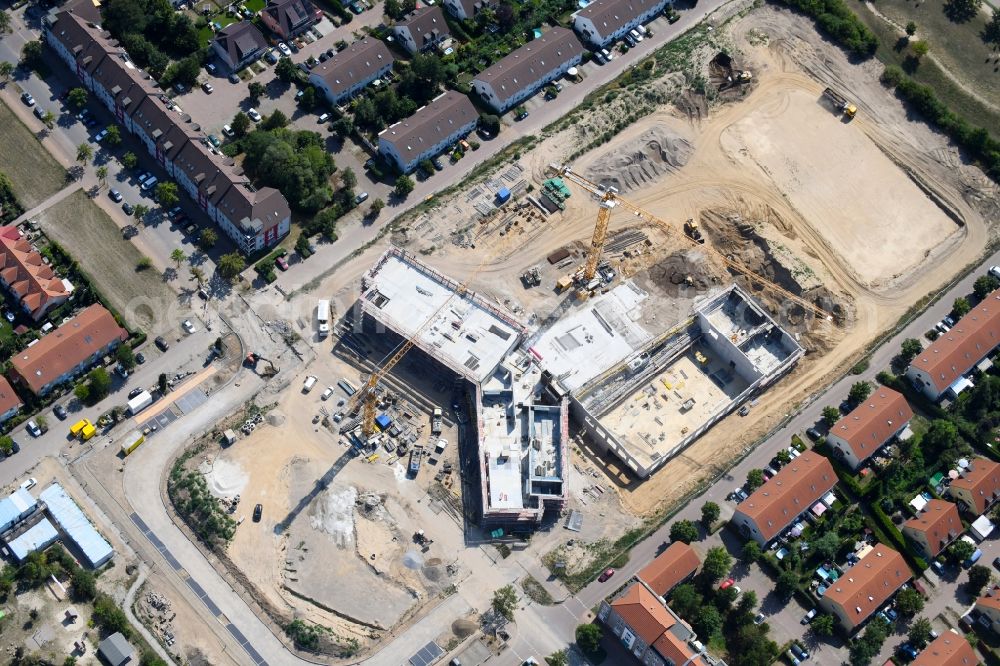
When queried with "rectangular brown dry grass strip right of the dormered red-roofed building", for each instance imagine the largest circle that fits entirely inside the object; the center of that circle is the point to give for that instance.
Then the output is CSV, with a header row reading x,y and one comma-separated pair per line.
x,y
84,230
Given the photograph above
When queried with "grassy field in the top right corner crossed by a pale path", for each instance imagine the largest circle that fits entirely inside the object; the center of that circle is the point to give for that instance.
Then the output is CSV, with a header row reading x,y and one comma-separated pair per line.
x,y
969,61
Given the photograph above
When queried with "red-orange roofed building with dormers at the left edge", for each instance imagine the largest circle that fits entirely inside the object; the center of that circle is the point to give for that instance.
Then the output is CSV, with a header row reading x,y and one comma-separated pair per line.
x,y
27,276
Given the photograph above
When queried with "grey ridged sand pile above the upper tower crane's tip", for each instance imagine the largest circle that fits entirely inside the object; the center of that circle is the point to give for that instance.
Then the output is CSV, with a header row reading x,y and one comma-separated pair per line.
x,y
656,151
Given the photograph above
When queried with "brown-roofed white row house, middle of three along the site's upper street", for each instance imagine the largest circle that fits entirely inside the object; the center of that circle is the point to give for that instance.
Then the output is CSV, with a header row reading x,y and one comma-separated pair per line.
x,y
523,72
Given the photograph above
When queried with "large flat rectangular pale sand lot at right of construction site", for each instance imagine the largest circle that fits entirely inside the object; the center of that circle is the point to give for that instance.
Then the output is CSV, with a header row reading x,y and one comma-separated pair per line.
x,y
864,206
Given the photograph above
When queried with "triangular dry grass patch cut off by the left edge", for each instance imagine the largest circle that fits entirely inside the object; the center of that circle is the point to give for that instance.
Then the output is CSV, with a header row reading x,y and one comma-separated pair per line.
x,y
35,174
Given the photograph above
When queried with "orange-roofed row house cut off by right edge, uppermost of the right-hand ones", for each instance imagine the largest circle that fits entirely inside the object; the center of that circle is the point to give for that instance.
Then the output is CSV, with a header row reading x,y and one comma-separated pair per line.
x,y
939,370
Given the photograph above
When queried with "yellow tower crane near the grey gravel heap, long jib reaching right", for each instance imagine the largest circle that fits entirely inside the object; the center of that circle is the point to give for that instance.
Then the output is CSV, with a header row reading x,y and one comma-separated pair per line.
x,y
610,196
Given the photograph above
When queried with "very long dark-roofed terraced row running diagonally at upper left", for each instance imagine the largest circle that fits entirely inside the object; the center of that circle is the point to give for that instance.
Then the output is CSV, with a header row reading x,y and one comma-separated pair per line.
x,y
254,218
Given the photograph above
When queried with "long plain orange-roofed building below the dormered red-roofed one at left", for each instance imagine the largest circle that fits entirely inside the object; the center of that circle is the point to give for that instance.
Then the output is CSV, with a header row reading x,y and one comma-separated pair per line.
x,y
68,351
